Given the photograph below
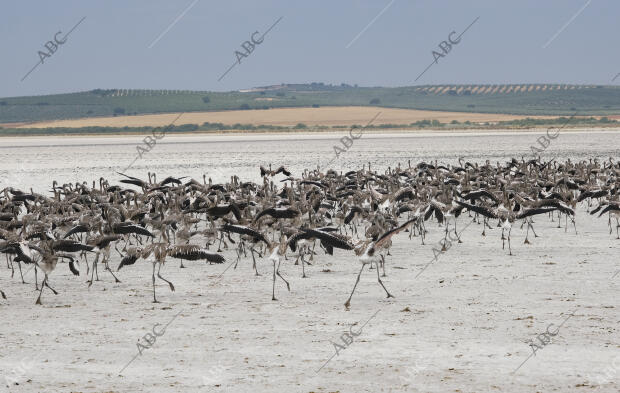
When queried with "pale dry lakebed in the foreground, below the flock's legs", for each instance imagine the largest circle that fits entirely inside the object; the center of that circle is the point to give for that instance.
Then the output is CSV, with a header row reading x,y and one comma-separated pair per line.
x,y
462,325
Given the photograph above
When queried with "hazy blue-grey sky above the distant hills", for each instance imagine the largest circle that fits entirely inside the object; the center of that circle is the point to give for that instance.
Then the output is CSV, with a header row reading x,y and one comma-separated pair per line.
x,y
190,44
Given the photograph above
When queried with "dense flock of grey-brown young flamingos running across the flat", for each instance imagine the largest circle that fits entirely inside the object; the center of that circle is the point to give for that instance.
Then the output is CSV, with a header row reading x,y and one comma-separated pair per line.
x,y
359,211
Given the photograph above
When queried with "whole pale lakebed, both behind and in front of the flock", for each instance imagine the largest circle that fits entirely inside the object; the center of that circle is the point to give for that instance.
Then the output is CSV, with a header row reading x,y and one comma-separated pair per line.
x,y
463,325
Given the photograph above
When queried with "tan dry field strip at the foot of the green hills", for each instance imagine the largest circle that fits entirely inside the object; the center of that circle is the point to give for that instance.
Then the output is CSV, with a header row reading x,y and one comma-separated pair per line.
x,y
323,116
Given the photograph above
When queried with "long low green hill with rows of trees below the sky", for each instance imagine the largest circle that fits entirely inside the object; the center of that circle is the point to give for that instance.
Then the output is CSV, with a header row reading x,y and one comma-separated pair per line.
x,y
521,99
